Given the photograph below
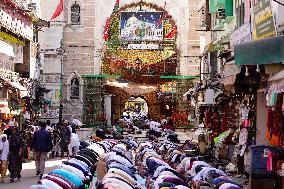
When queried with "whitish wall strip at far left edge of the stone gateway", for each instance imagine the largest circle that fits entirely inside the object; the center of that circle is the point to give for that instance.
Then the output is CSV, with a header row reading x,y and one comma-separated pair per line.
x,y
49,41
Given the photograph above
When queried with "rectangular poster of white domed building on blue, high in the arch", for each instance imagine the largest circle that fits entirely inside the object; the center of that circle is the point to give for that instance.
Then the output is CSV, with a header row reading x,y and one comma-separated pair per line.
x,y
141,26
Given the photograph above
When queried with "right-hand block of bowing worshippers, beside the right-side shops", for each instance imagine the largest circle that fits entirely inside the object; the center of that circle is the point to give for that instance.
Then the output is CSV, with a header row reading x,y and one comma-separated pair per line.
x,y
165,167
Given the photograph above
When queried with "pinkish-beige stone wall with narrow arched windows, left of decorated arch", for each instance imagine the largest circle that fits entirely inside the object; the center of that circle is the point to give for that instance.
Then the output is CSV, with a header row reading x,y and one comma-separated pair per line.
x,y
79,49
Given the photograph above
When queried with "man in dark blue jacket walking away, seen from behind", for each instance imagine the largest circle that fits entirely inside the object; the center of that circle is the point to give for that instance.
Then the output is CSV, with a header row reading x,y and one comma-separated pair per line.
x,y
42,144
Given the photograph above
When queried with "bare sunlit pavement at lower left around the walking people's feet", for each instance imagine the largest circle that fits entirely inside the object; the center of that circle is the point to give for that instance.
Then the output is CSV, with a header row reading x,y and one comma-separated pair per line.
x,y
28,175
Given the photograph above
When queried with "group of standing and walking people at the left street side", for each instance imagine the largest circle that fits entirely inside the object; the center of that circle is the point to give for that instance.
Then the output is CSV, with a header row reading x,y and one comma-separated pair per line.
x,y
36,142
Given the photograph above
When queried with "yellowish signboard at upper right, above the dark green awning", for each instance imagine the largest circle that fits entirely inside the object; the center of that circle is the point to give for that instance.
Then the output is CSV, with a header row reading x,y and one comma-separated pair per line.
x,y
264,26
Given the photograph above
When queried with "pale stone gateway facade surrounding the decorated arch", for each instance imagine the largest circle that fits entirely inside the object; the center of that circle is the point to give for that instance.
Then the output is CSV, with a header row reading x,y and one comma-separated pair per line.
x,y
80,28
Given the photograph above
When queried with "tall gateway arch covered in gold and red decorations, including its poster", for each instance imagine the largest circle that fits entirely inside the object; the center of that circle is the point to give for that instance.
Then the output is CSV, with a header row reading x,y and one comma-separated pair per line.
x,y
140,49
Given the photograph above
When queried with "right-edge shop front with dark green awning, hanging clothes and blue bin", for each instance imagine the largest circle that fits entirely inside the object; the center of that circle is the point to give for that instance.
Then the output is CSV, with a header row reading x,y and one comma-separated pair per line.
x,y
265,57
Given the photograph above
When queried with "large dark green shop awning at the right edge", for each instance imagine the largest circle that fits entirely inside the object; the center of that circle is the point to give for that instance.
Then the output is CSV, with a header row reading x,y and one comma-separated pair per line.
x,y
265,51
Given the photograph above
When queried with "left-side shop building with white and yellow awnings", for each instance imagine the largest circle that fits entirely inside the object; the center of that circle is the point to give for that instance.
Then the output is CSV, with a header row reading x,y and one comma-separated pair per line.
x,y
18,61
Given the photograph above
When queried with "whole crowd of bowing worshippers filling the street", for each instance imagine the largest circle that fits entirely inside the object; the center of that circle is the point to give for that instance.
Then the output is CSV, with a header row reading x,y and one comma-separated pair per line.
x,y
151,164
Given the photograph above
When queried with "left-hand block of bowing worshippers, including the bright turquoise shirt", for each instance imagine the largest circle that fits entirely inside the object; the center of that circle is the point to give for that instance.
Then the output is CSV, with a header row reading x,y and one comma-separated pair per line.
x,y
105,164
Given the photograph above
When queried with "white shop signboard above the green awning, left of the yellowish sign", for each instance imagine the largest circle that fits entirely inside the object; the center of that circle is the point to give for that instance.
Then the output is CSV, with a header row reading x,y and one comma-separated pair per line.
x,y
241,35
